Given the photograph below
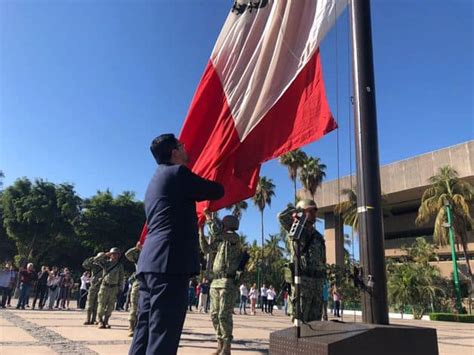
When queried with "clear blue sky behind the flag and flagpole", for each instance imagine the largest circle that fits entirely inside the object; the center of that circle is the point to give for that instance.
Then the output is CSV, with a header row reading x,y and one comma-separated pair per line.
x,y
86,85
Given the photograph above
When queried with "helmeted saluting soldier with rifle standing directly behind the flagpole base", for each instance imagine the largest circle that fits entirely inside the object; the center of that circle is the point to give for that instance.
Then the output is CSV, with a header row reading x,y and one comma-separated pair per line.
x,y
312,262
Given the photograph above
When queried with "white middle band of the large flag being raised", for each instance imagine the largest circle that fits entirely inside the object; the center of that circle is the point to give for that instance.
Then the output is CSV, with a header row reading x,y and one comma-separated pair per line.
x,y
259,53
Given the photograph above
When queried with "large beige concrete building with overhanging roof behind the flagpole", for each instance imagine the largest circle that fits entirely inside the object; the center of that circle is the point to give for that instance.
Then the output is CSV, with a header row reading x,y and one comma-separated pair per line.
x,y
403,184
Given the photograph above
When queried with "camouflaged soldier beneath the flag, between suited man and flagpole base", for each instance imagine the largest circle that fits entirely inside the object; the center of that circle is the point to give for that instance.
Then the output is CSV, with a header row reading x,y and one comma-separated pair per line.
x,y
226,244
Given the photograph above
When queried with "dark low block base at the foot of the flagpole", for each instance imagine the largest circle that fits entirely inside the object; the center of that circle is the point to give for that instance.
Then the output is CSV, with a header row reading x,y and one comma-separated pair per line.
x,y
338,338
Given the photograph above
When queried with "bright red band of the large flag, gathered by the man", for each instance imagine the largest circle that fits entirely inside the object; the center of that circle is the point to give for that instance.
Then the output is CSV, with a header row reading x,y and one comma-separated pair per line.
x,y
300,116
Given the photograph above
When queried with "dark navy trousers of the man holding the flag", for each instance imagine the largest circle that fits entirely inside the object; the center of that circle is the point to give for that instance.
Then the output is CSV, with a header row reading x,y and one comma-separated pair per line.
x,y
162,304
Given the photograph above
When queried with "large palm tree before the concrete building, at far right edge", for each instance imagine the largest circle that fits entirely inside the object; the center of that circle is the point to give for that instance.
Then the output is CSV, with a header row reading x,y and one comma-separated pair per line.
x,y
447,189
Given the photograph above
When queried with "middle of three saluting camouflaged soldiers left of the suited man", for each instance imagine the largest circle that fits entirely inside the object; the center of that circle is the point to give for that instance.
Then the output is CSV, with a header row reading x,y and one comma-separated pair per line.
x,y
112,281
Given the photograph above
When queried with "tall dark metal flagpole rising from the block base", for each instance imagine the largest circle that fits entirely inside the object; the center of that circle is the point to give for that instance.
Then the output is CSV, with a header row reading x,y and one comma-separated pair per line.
x,y
374,297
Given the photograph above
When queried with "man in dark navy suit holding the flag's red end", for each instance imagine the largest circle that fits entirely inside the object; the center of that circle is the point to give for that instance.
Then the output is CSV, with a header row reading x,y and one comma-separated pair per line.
x,y
170,254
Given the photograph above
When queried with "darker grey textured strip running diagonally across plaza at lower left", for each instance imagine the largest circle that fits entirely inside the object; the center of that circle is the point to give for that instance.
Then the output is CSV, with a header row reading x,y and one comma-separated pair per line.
x,y
46,337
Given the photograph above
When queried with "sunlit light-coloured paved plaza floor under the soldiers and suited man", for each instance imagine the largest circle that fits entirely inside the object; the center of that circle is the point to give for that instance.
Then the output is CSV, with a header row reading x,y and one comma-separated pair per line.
x,y
62,332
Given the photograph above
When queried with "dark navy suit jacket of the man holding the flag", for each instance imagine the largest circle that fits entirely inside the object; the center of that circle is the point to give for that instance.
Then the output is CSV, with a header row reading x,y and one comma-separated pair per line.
x,y
172,244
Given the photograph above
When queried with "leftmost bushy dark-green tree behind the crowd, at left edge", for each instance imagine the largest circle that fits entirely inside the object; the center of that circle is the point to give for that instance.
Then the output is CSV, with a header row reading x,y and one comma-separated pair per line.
x,y
38,215
